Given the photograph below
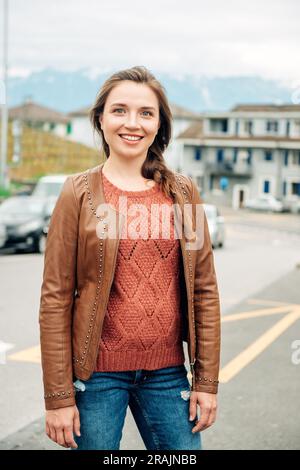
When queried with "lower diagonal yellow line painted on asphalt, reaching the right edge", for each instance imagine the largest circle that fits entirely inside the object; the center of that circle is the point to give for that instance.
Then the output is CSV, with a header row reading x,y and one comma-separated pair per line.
x,y
257,347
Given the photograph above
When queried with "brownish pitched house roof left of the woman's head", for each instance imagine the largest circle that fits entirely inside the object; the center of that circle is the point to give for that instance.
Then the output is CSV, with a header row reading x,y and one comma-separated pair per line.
x,y
30,111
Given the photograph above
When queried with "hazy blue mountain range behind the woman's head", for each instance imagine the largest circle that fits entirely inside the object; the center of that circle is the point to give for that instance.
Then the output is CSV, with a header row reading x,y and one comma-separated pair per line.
x,y
67,91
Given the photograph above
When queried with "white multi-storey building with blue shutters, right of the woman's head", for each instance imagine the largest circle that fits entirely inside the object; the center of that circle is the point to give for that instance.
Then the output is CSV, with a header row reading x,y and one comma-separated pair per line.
x,y
244,153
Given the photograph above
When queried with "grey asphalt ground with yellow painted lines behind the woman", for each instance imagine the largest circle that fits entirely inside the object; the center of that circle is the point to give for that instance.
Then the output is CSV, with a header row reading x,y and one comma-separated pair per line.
x,y
259,381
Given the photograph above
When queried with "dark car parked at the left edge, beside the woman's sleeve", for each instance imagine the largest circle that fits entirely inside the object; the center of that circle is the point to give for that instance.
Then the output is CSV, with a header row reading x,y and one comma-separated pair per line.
x,y
24,221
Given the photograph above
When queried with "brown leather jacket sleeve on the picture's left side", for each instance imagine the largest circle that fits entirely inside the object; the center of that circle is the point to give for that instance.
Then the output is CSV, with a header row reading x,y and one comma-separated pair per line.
x,y
56,301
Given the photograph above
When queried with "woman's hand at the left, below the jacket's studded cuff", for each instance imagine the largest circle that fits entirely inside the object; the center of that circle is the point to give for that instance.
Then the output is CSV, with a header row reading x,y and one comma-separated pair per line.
x,y
60,425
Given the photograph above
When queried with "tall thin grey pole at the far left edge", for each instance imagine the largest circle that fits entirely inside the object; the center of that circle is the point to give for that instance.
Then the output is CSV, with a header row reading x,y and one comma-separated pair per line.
x,y
4,106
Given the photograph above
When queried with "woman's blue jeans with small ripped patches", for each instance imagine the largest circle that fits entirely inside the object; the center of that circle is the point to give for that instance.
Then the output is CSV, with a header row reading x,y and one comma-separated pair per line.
x,y
158,400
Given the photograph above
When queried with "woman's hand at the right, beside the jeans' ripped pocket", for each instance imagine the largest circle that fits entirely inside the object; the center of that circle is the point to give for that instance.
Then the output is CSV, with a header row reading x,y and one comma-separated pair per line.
x,y
208,409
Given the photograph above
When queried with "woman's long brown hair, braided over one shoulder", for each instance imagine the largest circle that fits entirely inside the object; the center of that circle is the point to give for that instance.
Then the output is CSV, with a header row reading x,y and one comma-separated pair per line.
x,y
154,166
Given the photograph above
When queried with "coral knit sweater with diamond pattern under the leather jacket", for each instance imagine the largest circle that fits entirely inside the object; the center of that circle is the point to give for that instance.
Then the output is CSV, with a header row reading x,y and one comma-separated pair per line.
x,y
142,326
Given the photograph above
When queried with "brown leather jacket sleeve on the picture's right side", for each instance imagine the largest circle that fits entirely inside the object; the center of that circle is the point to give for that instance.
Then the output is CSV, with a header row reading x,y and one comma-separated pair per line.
x,y
206,312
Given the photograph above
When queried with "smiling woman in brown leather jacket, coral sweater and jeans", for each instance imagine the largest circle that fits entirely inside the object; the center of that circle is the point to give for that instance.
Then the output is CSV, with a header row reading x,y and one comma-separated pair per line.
x,y
119,296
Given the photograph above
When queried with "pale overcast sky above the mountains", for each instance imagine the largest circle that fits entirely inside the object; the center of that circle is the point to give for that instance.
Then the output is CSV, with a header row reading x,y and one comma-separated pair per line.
x,y
211,38
